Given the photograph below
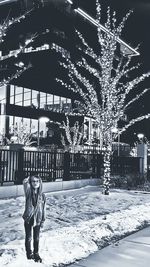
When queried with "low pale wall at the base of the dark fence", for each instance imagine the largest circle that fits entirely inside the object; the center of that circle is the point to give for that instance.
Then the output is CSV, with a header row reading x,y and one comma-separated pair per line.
x,y
17,190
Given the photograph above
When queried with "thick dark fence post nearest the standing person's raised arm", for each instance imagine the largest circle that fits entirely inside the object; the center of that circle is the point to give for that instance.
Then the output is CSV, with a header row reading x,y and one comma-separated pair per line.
x,y
20,174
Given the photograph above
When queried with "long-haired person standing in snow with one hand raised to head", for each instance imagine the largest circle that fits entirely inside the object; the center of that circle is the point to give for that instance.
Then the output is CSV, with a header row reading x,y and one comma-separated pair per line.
x,y
34,214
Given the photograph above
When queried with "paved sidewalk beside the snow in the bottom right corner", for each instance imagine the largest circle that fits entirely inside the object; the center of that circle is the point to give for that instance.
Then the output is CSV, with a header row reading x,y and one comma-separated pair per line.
x,y
132,251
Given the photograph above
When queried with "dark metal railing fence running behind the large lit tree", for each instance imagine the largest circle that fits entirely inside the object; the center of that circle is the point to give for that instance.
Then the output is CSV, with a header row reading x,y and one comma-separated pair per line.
x,y
53,165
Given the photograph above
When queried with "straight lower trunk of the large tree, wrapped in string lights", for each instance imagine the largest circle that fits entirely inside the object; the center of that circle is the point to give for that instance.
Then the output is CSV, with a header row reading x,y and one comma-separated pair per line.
x,y
106,177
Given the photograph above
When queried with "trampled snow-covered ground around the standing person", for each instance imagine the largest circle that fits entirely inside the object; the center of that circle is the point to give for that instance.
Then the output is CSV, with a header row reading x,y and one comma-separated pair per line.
x,y
78,223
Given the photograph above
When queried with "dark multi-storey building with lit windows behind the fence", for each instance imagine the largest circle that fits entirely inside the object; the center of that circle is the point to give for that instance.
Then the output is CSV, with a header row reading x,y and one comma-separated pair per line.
x,y
41,30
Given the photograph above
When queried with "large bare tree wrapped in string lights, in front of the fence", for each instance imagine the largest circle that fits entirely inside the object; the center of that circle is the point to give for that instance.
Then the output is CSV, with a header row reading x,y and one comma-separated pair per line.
x,y
106,99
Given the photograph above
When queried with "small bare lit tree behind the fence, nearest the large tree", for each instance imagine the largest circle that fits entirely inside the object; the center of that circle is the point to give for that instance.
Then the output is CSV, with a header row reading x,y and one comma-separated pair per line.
x,y
73,135
